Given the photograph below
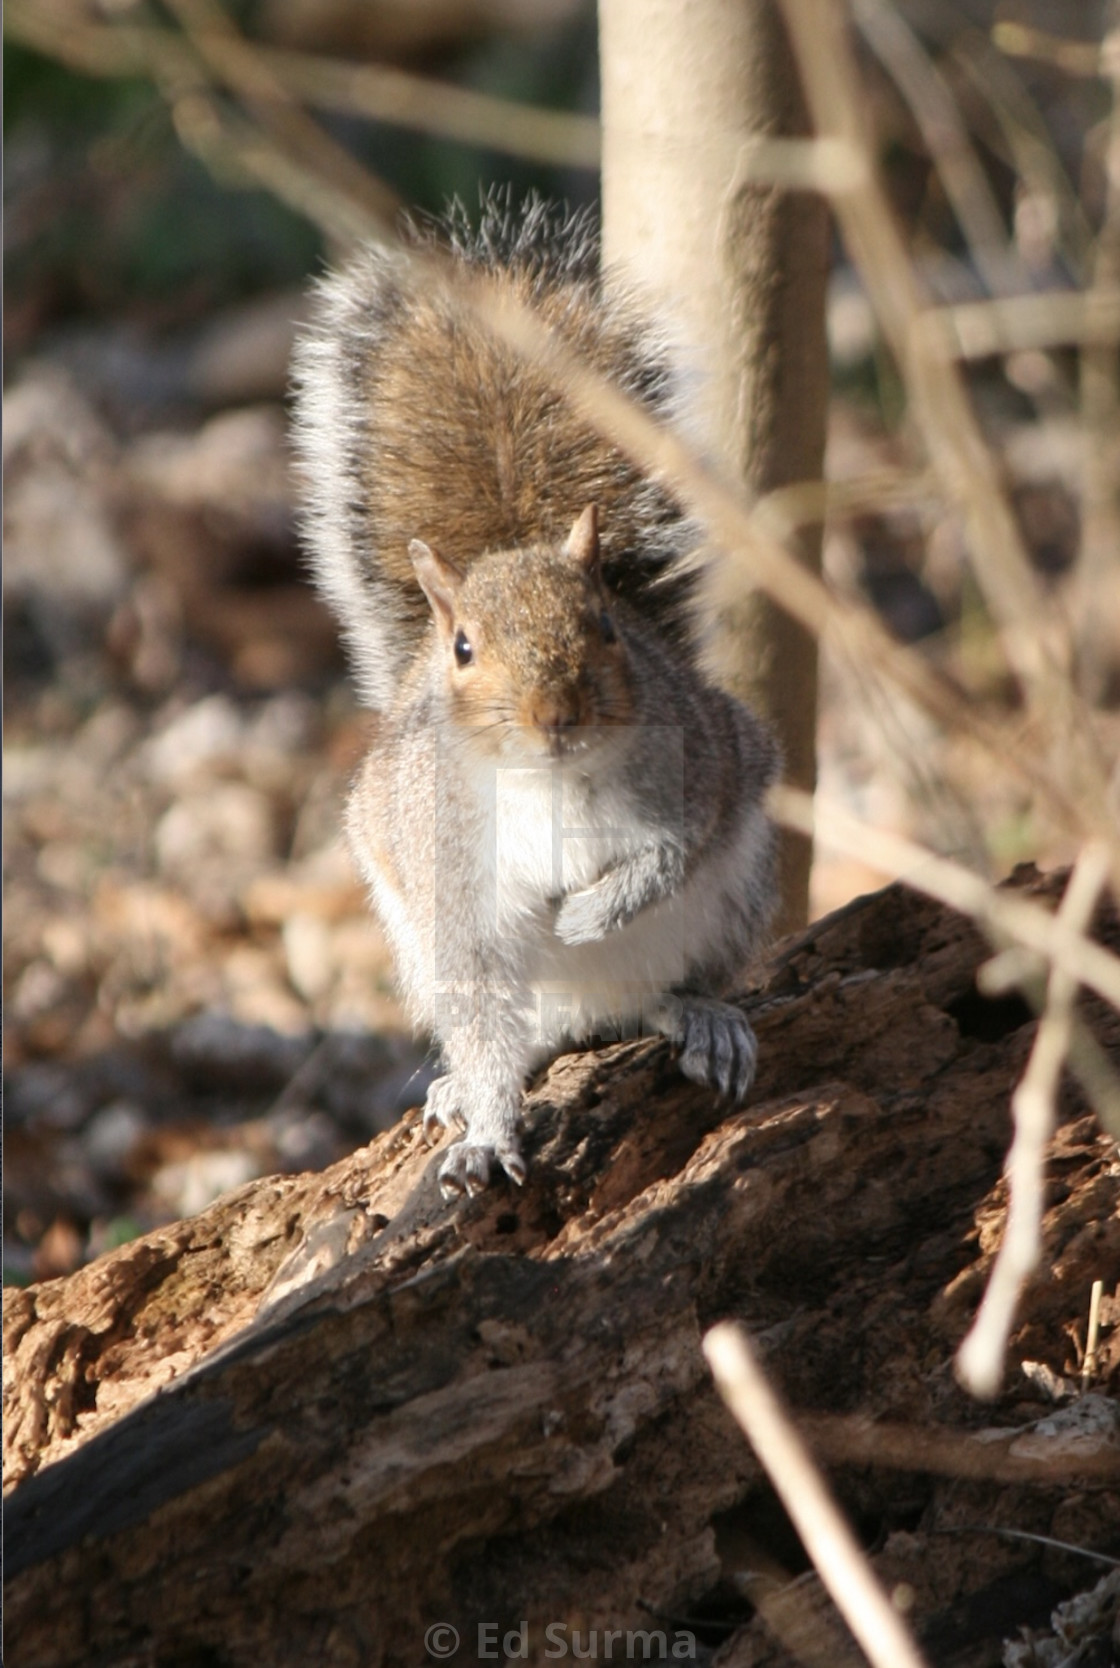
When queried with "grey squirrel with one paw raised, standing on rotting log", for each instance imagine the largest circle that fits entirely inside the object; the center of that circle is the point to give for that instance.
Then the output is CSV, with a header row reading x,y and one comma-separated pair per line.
x,y
560,818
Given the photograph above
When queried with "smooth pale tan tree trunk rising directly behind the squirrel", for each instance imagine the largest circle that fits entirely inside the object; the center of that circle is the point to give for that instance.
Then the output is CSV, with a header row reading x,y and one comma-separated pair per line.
x,y
742,269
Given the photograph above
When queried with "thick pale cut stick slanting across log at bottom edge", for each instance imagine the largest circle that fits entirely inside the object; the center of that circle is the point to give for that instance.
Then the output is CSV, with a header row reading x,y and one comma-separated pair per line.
x,y
830,1544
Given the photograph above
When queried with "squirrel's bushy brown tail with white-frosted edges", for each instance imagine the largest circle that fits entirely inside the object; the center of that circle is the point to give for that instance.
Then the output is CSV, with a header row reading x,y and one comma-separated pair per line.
x,y
415,423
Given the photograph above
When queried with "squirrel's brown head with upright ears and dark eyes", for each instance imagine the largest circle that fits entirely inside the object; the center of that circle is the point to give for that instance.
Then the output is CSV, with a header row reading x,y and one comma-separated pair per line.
x,y
532,655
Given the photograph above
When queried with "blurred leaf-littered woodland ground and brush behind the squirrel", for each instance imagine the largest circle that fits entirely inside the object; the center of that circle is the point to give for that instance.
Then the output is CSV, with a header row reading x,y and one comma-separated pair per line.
x,y
194,993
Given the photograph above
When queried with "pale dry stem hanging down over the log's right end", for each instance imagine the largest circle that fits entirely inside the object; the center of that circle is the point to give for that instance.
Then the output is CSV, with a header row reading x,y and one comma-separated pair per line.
x,y
1034,1107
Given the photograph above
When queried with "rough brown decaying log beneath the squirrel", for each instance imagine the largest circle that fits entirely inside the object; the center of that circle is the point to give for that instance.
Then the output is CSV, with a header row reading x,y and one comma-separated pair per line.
x,y
333,1412
